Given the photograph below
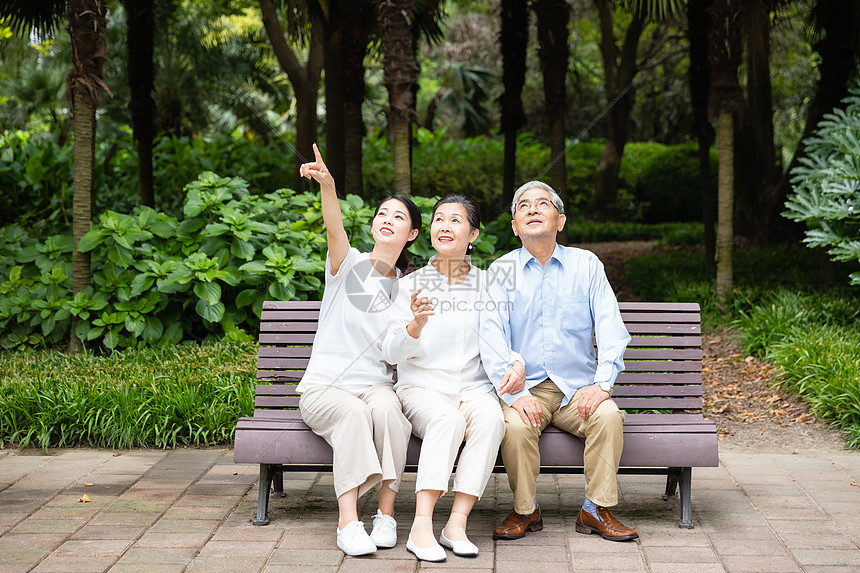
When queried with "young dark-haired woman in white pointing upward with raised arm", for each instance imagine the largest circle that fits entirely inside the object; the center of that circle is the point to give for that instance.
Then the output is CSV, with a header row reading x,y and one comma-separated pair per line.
x,y
347,393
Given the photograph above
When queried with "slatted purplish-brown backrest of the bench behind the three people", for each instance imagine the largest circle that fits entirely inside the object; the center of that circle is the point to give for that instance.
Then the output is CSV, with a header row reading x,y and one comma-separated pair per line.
x,y
663,375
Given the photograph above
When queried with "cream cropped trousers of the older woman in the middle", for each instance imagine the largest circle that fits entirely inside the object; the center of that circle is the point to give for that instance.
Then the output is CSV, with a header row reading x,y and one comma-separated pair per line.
x,y
443,424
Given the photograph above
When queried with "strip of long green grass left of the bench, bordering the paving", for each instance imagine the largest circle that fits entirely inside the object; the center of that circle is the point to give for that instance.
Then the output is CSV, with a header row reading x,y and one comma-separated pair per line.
x,y
180,395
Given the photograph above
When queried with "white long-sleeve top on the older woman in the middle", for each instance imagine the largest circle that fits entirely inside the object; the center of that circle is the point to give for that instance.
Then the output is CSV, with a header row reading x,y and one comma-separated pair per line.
x,y
446,355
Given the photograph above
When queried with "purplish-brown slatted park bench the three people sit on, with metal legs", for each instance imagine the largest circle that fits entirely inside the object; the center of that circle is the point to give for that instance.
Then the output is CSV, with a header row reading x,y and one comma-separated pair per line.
x,y
665,432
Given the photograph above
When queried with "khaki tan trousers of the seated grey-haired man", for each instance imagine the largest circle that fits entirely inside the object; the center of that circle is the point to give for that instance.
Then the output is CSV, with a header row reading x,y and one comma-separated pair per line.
x,y
603,437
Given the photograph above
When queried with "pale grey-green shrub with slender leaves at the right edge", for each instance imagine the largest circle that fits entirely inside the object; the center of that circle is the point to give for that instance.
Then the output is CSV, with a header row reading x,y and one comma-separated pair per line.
x,y
827,185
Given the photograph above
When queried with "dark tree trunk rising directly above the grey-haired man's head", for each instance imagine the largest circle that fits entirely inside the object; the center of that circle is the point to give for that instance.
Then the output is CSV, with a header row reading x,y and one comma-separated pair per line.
x,y
553,17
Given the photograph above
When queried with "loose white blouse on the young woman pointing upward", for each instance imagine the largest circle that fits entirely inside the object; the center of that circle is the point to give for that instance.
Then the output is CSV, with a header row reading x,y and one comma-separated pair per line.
x,y
347,349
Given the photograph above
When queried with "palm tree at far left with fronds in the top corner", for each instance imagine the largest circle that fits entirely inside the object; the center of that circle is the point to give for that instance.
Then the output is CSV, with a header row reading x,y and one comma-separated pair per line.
x,y
86,26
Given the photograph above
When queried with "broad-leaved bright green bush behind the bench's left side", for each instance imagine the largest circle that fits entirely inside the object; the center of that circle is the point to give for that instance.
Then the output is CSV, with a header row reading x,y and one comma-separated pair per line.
x,y
158,280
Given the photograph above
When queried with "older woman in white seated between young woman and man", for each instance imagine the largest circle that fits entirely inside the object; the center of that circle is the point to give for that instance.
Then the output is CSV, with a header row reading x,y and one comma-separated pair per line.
x,y
433,339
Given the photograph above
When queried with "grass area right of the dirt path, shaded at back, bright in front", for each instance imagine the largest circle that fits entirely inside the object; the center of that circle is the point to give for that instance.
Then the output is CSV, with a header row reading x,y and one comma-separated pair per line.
x,y
781,313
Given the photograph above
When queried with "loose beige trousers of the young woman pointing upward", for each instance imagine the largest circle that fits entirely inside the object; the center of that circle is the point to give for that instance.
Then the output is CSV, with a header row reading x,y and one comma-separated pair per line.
x,y
367,432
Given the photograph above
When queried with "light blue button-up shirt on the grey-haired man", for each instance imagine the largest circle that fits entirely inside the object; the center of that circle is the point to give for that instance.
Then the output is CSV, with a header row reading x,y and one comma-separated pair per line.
x,y
544,316
